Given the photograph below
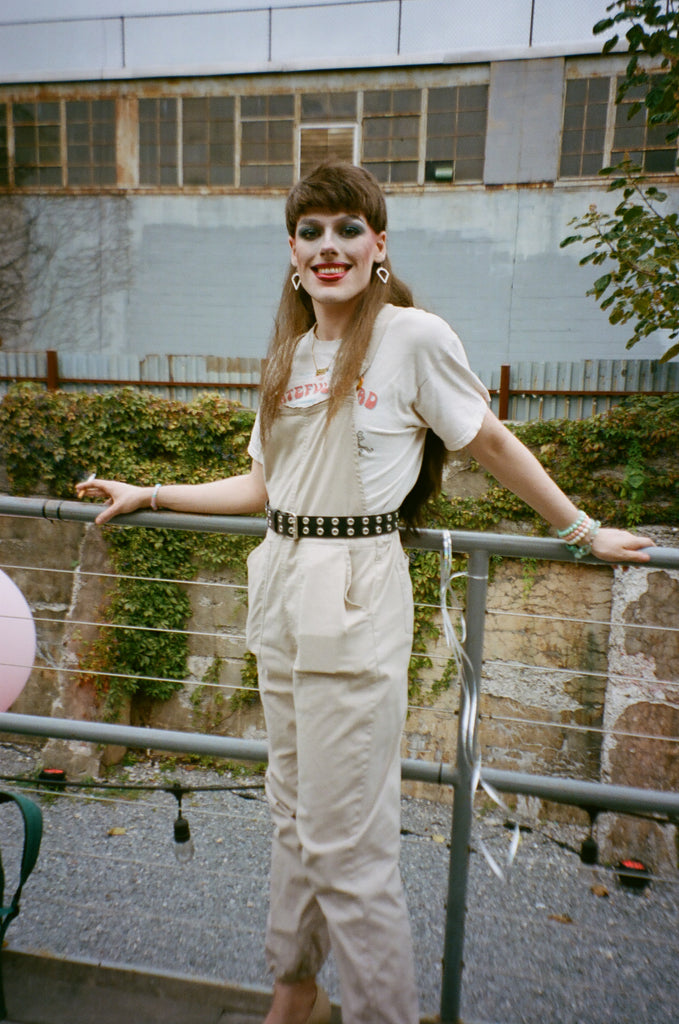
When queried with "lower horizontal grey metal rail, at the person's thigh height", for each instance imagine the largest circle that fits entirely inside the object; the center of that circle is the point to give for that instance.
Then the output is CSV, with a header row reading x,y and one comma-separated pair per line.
x,y
599,796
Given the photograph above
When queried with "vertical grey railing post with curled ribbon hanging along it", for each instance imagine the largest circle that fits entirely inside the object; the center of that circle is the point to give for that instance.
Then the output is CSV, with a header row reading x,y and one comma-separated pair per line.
x,y
478,578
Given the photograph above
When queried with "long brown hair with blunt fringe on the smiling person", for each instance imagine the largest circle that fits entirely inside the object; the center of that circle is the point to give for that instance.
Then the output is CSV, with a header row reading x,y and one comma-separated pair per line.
x,y
342,188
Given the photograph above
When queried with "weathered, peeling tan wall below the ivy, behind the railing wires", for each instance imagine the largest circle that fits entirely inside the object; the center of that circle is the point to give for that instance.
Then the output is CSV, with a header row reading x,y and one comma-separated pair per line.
x,y
581,666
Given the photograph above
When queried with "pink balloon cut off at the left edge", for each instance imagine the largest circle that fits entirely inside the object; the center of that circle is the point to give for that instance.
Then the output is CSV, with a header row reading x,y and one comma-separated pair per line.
x,y
18,642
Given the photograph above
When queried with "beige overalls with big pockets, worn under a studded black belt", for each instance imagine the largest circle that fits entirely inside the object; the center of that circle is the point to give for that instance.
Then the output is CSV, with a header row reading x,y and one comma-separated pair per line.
x,y
331,624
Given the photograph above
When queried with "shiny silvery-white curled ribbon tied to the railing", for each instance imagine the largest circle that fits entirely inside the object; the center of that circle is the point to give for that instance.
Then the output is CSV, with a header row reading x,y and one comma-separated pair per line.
x,y
470,704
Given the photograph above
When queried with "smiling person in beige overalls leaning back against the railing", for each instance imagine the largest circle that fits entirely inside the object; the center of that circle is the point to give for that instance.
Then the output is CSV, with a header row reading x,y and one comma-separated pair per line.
x,y
362,397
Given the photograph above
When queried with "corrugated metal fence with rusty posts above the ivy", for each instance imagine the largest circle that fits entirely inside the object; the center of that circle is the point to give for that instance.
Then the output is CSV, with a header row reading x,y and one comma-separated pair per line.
x,y
525,392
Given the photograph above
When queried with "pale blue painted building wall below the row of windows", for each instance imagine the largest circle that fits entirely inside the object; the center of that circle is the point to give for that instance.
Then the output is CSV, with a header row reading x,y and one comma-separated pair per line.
x,y
197,275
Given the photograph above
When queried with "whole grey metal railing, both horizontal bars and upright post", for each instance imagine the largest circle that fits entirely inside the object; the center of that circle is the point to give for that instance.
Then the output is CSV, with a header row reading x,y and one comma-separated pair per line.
x,y
461,776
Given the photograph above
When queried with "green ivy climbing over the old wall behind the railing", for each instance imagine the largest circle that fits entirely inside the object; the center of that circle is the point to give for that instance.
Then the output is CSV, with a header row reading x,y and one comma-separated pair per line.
x,y
622,466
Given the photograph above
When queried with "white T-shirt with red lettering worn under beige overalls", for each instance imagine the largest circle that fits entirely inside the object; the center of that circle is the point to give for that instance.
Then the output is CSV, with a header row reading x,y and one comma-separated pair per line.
x,y
419,378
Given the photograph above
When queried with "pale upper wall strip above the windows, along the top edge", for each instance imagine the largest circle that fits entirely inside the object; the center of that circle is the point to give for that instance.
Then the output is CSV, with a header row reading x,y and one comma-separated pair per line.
x,y
52,40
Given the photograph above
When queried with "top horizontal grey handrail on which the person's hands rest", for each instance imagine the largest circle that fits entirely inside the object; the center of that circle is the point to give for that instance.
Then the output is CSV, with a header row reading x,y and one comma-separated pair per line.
x,y
511,545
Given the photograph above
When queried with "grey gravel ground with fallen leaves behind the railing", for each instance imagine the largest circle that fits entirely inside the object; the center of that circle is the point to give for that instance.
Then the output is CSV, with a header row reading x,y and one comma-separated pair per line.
x,y
542,950
